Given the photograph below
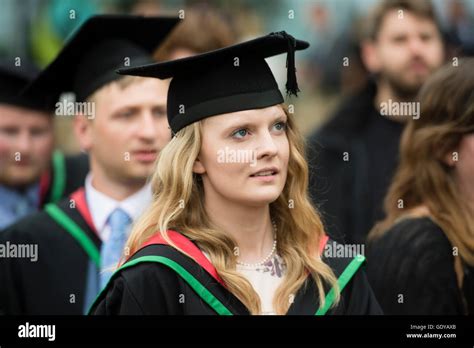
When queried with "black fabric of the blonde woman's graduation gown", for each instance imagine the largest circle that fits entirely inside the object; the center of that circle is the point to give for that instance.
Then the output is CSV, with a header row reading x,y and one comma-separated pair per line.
x,y
151,288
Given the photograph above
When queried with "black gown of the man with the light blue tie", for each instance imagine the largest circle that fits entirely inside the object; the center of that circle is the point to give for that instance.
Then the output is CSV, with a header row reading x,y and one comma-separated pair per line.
x,y
55,283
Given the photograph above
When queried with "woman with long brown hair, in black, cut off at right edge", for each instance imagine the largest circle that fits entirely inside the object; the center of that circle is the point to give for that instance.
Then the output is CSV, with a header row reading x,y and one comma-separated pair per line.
x,y
422,255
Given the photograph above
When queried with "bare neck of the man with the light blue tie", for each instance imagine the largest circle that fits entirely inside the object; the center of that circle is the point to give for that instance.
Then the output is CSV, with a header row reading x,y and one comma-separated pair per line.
x,y
111,187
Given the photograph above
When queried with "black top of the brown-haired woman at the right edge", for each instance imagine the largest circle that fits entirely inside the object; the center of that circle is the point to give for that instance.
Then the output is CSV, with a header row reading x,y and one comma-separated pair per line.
x,y
411,270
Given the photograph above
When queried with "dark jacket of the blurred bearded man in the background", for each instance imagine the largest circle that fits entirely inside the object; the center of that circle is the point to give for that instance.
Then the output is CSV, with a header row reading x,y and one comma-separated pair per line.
x,y
352,159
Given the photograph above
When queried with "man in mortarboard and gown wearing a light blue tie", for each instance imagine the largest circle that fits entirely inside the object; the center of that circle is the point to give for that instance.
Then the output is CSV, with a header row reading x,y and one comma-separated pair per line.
x,y
80,238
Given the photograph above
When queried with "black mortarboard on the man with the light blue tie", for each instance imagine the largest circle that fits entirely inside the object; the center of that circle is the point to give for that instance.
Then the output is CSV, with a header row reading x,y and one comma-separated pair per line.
x,y
103,44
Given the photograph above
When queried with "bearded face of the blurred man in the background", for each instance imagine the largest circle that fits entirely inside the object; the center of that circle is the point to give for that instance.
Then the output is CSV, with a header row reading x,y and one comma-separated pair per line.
x,y
406,51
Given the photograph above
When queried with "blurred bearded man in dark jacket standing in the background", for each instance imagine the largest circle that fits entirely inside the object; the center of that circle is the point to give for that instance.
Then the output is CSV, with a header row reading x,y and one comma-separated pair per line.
x,y
353,156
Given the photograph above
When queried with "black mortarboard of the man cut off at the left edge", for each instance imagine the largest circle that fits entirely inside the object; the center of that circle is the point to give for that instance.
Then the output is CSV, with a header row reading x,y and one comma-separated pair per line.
x,y
15,74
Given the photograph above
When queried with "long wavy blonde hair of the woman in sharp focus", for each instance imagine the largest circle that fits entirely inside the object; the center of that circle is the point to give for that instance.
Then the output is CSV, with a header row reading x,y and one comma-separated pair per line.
x,y
299,229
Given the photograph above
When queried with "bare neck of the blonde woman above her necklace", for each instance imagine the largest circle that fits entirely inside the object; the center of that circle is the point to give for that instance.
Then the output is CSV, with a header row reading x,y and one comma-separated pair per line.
x,y
250,227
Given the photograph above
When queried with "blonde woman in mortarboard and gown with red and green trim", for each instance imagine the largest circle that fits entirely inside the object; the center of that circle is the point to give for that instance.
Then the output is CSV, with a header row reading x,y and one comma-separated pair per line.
x,y
231,229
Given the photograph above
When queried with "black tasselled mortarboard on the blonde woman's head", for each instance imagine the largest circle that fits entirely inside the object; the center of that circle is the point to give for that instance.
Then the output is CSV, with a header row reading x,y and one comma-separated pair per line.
x,y
230,79
